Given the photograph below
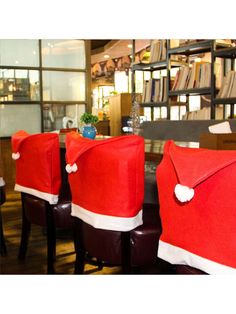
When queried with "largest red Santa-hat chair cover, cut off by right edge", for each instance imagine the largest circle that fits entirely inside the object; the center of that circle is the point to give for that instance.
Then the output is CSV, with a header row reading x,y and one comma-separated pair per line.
x,y
198,230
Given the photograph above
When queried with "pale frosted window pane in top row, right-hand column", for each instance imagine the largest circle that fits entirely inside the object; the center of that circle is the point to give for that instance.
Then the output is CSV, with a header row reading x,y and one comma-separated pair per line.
x,y
62,53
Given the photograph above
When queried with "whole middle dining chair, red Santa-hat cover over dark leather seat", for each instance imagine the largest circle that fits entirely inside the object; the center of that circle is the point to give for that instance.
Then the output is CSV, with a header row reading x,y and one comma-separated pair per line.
x,y
107,185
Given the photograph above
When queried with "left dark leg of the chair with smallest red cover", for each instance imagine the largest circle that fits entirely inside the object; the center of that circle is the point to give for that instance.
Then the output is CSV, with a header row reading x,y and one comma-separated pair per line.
x,y
25,232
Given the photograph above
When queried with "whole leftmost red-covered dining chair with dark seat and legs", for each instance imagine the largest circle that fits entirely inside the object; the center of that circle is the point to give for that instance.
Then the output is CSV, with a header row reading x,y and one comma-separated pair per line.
x,y
45,201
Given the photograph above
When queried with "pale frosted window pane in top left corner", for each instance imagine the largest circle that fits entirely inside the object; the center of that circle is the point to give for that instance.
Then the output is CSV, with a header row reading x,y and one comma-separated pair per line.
x,y
19,52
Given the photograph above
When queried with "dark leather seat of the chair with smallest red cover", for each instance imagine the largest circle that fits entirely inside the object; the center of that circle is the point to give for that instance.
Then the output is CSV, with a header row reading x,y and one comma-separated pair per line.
x,y
35,212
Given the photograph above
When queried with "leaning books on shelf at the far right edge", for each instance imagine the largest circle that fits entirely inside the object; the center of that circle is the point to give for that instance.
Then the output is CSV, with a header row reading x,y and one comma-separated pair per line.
x,y
228,88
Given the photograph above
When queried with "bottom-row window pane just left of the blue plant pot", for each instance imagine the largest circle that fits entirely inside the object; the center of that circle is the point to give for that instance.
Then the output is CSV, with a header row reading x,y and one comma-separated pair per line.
x,y
60,116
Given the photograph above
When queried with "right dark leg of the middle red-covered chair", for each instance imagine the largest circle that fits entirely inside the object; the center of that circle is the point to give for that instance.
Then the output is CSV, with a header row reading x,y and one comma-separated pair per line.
x,y
125,253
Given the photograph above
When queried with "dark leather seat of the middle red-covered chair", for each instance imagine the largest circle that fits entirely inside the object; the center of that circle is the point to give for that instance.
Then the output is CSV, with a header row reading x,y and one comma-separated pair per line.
x,y
106,244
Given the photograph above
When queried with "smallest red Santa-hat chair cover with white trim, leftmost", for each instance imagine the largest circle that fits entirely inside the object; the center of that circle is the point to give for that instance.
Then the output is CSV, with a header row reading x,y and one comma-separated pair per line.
x,y
37,164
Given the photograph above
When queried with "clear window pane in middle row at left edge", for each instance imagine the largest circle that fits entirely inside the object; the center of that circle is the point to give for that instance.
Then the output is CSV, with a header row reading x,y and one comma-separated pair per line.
x,y
19,85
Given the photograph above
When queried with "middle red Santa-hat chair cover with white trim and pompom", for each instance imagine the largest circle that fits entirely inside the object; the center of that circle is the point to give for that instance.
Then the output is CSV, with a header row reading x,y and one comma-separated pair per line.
x,y
107,180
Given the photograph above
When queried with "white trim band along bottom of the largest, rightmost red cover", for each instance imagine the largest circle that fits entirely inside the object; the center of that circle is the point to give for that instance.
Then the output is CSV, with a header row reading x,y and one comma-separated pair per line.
x,y
177,255
